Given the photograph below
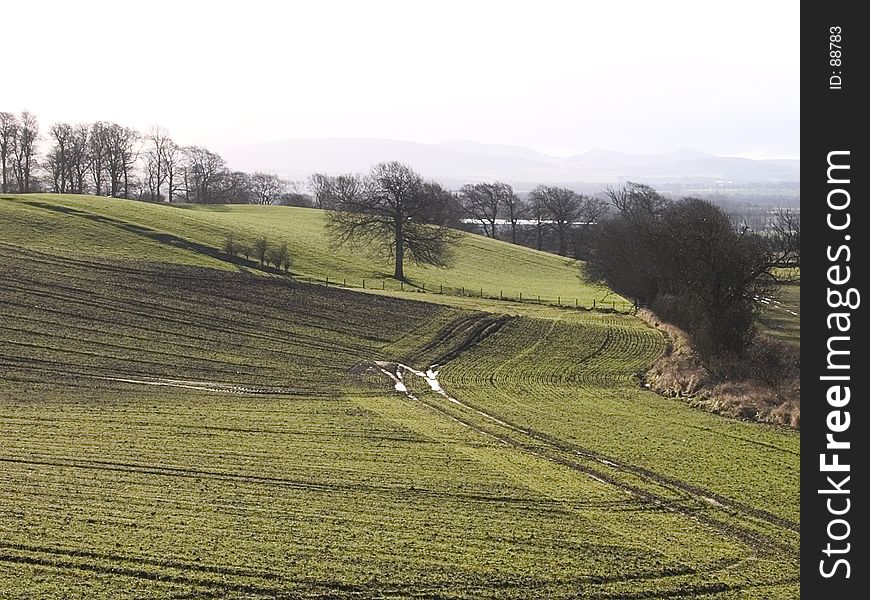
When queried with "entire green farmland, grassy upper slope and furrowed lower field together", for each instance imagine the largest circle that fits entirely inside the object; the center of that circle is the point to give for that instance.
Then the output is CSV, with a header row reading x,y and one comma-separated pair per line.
x,y
173,425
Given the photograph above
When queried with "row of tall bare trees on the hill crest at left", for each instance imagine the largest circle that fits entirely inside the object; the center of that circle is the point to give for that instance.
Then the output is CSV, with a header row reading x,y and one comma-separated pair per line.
x,y
109,159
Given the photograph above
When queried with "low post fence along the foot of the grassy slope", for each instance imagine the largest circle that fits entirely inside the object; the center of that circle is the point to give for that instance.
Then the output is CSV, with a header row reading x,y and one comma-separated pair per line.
x,y
392,285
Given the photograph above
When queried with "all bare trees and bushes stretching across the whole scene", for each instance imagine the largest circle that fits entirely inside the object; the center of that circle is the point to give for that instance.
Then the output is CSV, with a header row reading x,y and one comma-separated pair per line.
x,y
686,259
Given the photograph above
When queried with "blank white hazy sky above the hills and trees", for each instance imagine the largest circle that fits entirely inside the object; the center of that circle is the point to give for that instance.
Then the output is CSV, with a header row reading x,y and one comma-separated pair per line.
x,y
560,77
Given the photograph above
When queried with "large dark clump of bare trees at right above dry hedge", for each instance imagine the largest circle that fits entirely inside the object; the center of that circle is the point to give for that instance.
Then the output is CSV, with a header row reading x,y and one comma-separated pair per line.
x,y
693,265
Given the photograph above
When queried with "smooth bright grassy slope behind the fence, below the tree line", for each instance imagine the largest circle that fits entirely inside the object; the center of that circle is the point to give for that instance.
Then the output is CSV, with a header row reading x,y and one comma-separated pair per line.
x,y
194,235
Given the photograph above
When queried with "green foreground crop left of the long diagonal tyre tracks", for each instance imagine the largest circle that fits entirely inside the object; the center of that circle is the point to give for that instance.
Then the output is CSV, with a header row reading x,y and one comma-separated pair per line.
x,y
333,496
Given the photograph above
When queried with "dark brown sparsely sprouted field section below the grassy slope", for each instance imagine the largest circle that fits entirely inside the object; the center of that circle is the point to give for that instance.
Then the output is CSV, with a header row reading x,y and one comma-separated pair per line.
x,y
61,316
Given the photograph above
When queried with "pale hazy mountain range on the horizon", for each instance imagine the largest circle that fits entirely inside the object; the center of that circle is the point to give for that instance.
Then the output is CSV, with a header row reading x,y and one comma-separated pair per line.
x,y
460,161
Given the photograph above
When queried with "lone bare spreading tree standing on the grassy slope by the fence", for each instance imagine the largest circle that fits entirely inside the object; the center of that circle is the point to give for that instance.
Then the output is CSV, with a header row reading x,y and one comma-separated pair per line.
x,y
395,210
